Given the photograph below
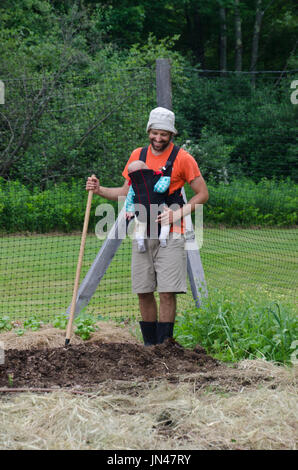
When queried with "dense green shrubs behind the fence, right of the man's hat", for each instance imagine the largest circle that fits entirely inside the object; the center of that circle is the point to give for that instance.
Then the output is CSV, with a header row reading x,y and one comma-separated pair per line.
x,y
251,130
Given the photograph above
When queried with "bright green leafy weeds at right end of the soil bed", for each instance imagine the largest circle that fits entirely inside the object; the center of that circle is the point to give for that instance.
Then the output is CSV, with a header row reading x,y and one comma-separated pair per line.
x,y
232,330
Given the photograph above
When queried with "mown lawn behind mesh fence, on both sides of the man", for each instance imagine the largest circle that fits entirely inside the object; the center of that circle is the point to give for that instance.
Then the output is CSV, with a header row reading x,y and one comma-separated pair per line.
x,y
37,271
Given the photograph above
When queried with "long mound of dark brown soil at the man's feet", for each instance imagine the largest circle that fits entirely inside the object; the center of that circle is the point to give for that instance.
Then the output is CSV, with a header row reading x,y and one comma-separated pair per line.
x,y
86,365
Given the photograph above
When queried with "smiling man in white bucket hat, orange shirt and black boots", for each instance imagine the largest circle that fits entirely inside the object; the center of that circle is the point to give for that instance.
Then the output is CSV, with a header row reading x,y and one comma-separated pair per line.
x,y
161,269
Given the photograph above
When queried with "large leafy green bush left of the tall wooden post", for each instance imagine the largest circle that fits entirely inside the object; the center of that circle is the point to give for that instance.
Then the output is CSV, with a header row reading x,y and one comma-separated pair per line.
x,y
69,103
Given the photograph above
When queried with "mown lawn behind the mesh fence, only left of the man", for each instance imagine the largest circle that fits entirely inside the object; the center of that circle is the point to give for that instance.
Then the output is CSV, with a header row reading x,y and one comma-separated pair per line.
x,y
37,275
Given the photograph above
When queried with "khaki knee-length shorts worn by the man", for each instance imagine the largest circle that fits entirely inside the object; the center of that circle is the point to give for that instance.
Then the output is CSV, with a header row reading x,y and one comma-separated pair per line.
x,y
159,269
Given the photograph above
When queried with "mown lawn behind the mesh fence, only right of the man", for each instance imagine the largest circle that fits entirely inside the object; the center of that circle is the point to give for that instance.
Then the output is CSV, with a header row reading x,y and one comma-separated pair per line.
x,y
247,258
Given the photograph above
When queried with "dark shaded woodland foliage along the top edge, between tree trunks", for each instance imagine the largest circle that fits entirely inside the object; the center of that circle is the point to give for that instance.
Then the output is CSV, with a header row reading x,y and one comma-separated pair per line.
x,y
197,22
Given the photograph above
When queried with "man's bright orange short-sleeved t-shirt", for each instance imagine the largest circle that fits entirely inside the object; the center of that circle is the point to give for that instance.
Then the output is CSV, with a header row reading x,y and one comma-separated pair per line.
x,y
185,168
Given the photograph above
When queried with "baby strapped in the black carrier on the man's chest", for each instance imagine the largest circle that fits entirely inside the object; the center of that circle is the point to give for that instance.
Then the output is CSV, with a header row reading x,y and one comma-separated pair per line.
x,y
146,187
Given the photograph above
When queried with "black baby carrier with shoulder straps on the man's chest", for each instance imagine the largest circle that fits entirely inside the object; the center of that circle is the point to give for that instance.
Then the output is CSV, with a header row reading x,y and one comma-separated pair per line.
x,y
143,182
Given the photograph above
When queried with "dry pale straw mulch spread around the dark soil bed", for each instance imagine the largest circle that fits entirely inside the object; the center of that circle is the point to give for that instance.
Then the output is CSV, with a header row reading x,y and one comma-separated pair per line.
x,y
249,405
